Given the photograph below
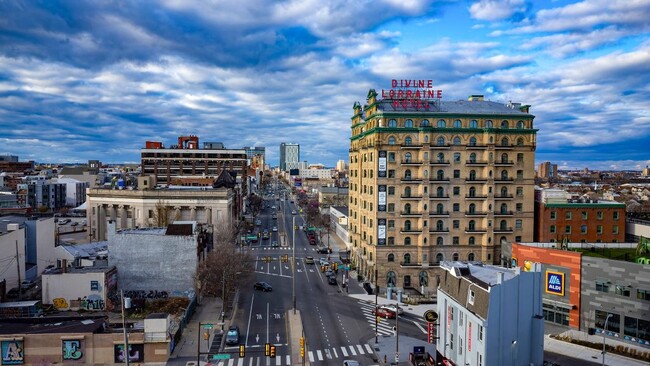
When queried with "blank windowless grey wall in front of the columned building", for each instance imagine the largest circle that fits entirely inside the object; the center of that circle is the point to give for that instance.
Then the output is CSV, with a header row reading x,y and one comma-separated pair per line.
x,y
147,260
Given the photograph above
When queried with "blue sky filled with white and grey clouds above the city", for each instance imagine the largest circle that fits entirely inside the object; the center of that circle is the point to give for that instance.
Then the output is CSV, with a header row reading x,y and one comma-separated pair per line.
x,y
96,79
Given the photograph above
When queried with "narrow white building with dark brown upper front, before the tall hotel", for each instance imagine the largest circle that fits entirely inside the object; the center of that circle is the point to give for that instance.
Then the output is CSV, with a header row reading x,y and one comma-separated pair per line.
x,y
490,315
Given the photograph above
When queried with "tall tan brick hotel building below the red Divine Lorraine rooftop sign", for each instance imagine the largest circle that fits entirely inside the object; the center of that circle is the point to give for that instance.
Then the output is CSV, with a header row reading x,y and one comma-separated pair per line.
x,y
434,180
